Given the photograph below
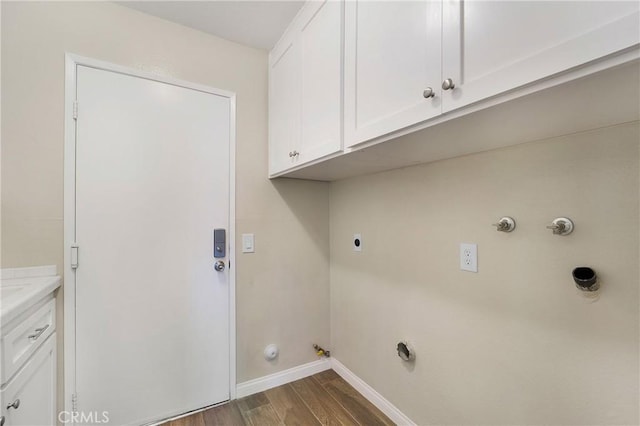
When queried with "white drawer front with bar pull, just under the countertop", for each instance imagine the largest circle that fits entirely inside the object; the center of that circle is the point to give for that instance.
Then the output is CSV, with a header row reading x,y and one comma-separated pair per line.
x,y
23,340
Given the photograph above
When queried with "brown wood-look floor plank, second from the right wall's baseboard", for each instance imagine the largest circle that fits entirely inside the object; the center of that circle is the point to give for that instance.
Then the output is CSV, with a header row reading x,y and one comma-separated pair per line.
x,y
322,405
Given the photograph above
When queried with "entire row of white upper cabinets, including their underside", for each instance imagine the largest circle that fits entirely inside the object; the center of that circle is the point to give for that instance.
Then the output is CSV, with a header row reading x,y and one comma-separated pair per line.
x,y
363,73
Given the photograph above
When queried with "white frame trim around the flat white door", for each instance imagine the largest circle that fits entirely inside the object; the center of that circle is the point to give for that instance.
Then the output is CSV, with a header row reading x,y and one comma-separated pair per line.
x,y
72,61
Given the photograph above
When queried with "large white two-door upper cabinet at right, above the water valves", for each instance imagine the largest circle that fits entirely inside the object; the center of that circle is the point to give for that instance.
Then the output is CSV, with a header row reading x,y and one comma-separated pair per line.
x,y
397,53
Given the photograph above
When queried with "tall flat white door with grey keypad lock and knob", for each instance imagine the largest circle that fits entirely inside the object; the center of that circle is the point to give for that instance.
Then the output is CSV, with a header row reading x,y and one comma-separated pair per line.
x,y
152,184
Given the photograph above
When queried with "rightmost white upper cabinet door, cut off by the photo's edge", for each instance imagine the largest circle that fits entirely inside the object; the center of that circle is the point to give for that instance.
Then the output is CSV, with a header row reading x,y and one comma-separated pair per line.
x,y
490,47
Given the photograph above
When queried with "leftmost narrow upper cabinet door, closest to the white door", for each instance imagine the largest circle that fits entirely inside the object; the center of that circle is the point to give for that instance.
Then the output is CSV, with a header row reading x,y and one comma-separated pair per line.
x,y
284,106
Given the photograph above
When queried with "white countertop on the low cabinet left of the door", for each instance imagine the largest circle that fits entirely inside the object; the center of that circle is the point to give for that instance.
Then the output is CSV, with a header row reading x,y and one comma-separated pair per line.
x,y
24,287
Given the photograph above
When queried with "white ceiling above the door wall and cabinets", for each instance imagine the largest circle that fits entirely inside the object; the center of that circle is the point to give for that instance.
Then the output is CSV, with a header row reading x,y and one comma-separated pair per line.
x,y
253,23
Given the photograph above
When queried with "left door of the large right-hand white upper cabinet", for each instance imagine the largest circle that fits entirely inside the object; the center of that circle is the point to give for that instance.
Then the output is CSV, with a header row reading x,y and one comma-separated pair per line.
x,y
392,54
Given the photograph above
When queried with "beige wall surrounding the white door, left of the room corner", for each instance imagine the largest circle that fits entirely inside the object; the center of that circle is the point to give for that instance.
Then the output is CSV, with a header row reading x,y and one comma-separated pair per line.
x,y
282,289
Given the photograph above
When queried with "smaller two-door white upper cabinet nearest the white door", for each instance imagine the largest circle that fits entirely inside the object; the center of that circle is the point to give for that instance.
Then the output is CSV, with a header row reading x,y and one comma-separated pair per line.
x,y
305,88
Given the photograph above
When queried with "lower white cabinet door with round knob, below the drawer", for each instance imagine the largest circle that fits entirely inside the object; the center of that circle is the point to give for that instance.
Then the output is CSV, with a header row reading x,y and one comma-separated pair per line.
x,y
35,387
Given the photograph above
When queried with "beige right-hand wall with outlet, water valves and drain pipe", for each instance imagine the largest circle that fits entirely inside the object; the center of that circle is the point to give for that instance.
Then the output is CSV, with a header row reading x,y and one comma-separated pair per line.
x,y
515,343
